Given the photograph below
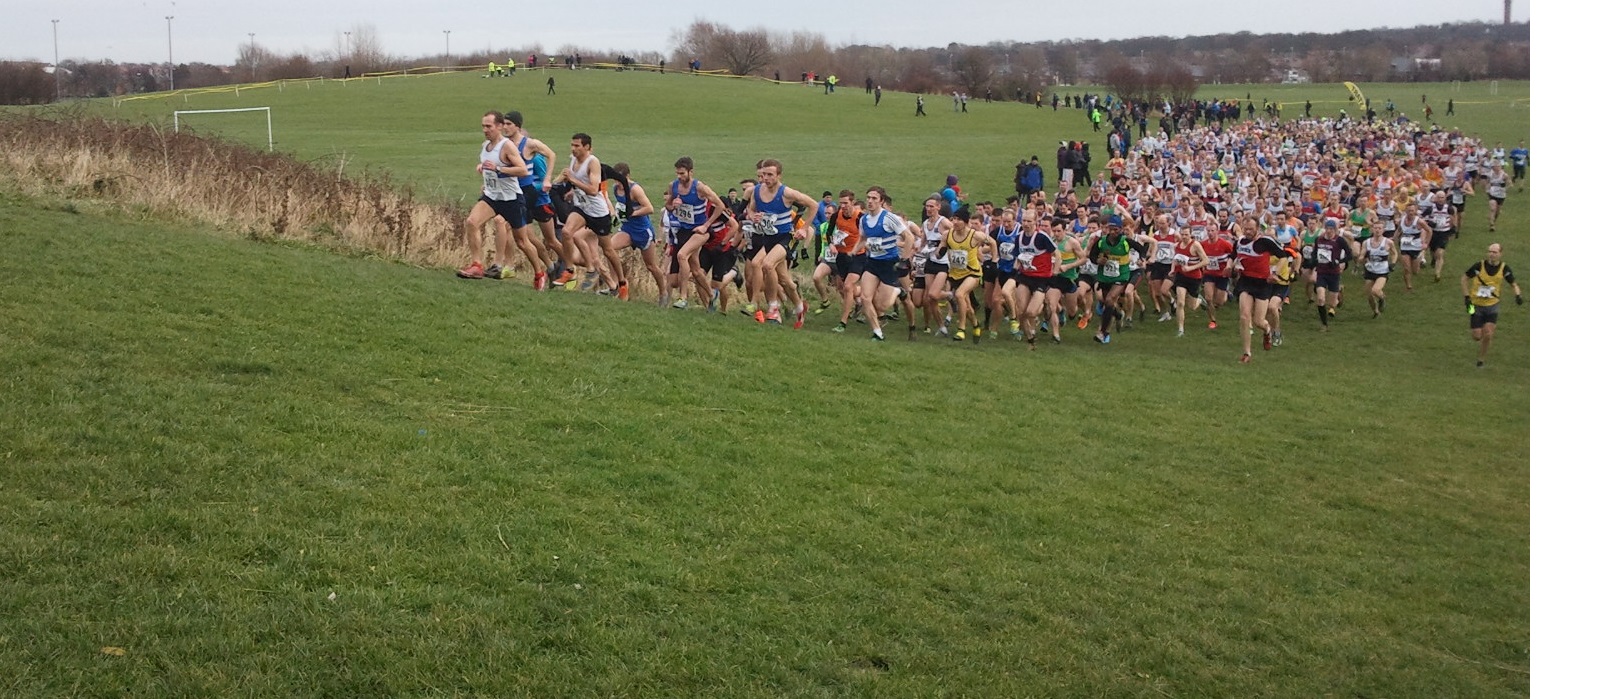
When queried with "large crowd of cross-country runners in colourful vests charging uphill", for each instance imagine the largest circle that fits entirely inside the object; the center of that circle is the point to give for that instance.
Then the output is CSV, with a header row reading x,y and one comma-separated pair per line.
x,y
1177,226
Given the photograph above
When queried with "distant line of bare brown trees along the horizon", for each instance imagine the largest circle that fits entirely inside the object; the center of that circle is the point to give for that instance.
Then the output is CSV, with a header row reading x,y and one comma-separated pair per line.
x,y
1004,70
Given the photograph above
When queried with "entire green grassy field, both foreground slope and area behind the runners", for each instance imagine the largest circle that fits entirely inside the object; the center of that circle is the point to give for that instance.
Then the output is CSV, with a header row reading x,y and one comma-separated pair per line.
x,y
257,469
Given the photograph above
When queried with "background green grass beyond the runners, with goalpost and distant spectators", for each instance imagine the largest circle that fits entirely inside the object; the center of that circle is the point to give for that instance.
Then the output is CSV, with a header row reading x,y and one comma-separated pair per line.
x,y
425,130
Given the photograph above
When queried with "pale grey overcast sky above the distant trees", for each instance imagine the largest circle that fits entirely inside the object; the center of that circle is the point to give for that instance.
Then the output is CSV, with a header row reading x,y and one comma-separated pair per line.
x,y
135,31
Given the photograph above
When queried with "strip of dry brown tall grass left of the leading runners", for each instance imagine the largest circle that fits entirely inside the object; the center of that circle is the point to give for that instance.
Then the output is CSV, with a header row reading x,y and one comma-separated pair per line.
x,y
70,154
